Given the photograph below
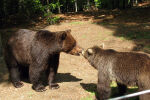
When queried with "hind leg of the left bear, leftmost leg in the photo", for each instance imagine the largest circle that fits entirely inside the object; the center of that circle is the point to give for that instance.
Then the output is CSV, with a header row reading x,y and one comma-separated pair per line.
x,y
13,71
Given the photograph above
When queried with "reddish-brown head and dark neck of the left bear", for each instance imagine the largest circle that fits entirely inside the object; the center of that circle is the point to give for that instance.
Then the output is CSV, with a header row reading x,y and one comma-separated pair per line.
x,y
60,41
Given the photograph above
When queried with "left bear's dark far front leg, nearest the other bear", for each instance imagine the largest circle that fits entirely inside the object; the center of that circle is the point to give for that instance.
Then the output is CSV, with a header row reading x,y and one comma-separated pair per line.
x,y
53,67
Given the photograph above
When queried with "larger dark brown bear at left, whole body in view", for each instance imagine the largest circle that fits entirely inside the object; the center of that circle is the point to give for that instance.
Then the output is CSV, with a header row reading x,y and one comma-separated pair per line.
x,y
39,53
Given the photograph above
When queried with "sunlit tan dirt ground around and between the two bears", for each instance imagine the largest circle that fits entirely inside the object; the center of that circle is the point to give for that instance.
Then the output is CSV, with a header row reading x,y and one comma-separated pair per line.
x,y
77,79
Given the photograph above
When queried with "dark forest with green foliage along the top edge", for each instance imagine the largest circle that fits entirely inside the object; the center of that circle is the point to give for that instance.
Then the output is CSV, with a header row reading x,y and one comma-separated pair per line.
x,y
27,9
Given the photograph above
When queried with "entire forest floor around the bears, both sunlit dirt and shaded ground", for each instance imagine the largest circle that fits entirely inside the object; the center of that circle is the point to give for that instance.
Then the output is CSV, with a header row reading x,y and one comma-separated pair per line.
x,y
126,30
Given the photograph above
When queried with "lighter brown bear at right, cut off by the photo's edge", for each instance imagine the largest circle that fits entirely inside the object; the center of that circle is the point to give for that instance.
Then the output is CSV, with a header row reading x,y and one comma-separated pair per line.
x,y
126,68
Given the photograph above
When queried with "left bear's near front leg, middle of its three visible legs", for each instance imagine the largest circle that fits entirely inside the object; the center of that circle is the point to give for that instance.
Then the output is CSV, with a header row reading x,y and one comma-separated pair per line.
x,y
35,72
